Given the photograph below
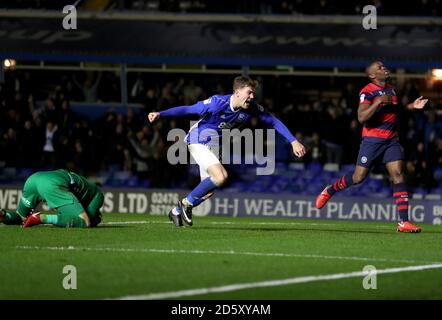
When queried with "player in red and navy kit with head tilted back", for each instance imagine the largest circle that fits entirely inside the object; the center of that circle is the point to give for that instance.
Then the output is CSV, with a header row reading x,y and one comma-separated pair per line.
x,y
378,112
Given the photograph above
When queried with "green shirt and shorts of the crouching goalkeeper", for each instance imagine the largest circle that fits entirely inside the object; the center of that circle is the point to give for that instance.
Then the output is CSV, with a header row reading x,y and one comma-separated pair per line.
x,y
58,188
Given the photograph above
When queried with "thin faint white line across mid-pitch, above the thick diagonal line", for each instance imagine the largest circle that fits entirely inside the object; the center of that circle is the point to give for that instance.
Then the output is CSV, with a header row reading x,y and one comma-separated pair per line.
x,y
221,252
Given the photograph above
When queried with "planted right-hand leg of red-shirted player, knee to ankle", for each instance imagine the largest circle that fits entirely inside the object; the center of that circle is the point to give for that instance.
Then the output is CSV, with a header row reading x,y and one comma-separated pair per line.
x,y
396,171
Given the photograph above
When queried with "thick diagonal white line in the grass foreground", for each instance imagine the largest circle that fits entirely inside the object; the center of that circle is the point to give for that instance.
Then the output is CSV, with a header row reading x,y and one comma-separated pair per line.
x,y
272,283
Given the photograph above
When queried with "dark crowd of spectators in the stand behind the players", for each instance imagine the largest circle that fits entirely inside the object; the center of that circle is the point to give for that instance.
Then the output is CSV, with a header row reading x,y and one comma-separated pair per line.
x,y
40,130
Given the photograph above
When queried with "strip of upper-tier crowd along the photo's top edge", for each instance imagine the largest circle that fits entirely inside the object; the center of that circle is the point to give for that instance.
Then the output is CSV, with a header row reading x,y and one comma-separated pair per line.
x,y
294,7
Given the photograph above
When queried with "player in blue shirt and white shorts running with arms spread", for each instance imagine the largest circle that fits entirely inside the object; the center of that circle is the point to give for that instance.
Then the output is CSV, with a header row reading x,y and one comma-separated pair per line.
x,y
218,113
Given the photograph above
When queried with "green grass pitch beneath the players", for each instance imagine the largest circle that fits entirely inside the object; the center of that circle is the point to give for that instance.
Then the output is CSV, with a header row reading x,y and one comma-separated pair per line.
x,y
138,256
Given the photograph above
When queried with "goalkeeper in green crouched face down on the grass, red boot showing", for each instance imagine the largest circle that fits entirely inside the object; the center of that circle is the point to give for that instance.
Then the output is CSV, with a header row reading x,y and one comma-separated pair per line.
x,y
76,200
